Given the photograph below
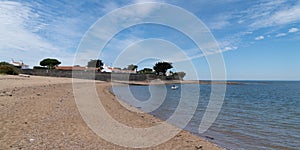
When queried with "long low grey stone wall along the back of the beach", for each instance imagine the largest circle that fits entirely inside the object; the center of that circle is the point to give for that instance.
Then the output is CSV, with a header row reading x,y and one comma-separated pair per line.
x,y
90,75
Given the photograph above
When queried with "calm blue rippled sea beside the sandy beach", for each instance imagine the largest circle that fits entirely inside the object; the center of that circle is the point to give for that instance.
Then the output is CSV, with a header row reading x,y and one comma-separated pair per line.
x,y
254,115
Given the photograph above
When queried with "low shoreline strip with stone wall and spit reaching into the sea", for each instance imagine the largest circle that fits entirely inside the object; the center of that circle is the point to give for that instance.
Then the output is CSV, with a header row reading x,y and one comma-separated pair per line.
x,y
132,79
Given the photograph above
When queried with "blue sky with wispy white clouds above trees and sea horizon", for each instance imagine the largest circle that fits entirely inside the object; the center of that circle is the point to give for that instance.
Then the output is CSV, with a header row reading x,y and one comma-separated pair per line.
x,y
258,39
